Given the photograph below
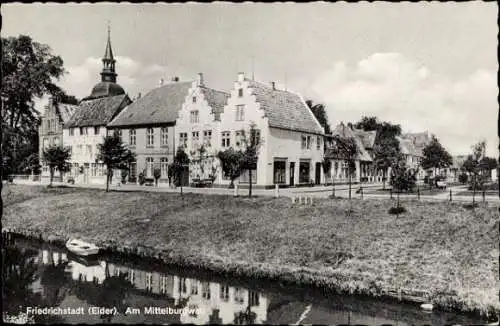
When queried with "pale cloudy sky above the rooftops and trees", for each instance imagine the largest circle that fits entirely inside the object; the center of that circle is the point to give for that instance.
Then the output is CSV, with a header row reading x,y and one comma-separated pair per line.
x,y
425,66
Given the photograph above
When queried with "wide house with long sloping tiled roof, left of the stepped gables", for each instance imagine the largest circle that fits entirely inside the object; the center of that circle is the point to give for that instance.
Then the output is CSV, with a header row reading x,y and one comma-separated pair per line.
x,y
147,127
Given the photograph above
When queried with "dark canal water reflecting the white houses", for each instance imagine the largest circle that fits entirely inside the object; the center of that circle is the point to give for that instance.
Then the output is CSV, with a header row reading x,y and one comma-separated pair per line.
x,y
53,286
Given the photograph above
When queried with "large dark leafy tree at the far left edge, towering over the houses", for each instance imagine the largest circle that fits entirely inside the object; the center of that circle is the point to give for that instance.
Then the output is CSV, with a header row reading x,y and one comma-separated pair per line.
x,y
29,71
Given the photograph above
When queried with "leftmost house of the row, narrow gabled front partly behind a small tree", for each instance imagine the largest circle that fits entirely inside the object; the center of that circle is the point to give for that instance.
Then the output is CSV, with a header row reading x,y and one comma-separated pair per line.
x,y
50,131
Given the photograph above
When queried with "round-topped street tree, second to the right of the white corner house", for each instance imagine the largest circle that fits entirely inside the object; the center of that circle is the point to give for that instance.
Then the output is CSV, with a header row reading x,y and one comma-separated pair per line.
x,y
386,154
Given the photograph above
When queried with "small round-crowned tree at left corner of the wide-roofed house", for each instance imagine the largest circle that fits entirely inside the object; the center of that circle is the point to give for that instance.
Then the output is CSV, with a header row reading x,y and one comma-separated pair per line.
x,y
115,155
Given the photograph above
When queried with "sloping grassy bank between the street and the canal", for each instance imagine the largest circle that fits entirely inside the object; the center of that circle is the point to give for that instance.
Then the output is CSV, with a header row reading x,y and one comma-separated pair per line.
x,y
440,247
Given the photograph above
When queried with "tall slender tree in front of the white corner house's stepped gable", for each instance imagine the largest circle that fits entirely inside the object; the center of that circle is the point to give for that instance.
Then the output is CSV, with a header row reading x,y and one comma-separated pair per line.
x,y
251,146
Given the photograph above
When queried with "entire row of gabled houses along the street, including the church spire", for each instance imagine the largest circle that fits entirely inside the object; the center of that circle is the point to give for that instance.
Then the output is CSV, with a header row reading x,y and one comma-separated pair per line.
x,y
191,115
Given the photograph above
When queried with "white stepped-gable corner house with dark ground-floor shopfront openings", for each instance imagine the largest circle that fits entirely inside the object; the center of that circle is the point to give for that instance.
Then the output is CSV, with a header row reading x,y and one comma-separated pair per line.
x,y
291,151
